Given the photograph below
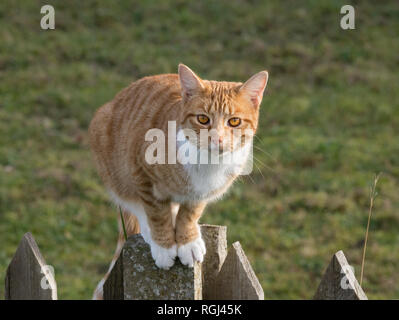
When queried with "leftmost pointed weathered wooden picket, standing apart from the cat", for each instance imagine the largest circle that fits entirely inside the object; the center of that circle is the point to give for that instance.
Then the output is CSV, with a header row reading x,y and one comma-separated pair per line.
x,y
28,277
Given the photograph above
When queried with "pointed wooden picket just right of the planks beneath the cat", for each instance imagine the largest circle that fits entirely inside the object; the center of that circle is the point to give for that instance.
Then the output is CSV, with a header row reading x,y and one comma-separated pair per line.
x,y
236,280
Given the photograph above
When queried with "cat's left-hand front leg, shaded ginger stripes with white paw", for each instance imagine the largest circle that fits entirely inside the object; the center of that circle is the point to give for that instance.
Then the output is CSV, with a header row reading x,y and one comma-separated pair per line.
x,y
161,237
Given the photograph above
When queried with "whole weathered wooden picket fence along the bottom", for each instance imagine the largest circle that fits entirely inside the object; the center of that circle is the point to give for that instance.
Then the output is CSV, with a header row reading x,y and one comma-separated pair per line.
x,y
225,274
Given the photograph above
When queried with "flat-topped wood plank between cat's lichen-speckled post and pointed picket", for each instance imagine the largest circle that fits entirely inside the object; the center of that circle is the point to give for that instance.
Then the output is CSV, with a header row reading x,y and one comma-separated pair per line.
x,y
216,252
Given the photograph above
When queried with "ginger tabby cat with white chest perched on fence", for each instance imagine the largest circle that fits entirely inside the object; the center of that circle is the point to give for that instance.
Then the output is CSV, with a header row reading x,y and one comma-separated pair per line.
x,y
167,199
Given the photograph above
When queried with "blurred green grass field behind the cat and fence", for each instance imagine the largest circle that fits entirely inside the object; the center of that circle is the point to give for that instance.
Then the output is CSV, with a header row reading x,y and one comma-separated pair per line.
x,y
329,122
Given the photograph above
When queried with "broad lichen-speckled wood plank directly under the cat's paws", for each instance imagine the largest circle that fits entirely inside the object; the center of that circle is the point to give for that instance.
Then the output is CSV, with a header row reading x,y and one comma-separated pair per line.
x,y
136,277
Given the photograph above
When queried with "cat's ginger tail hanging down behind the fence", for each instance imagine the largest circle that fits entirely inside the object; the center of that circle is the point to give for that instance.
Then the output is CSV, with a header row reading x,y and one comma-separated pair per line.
x,y
132,227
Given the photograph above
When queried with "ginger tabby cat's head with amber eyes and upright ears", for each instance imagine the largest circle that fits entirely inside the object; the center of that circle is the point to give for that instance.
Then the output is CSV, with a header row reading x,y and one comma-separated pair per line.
x,y
228,110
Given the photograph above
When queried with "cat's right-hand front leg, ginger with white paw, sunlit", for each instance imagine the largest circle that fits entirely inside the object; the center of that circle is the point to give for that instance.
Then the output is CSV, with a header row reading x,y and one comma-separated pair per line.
x,y
190,246
